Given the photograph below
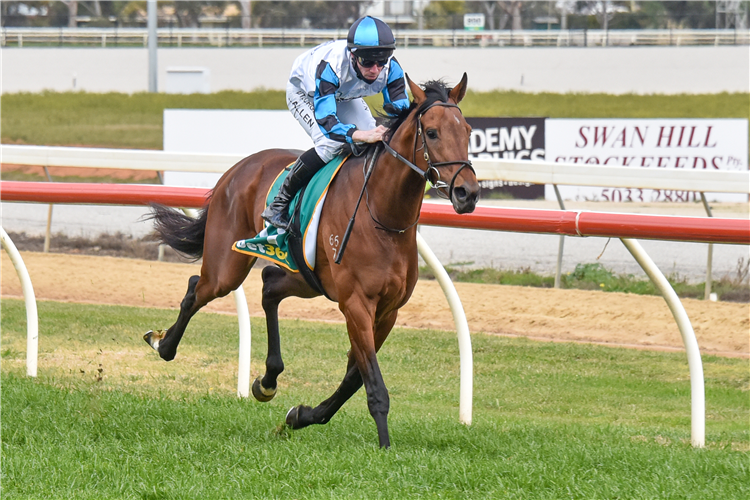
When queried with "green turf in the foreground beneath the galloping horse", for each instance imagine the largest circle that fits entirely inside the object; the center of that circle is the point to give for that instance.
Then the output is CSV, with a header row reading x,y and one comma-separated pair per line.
x,y
107,419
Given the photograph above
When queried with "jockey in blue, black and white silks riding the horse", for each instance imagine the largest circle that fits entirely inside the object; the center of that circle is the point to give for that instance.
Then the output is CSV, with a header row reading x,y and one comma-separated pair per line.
x,y
325,92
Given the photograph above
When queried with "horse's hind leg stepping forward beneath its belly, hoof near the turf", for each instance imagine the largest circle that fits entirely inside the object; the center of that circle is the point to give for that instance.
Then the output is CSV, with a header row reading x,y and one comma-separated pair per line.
x,y
277,285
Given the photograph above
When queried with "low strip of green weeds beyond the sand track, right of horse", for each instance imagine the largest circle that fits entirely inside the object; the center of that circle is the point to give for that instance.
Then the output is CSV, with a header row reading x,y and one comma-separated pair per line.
x,y
594,276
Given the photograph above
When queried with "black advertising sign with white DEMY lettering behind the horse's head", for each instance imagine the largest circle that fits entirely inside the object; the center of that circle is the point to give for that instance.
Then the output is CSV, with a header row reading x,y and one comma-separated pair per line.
x,y
509,138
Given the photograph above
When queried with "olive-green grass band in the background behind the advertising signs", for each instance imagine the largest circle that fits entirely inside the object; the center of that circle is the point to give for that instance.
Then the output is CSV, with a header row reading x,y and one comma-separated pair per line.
x,y
135,121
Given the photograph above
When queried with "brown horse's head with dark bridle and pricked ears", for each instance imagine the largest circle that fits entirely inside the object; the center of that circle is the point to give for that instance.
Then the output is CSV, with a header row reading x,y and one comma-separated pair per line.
x,y
442,141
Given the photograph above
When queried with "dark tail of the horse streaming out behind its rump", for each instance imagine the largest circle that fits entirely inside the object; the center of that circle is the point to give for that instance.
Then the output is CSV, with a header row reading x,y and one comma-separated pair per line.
x,y
183,233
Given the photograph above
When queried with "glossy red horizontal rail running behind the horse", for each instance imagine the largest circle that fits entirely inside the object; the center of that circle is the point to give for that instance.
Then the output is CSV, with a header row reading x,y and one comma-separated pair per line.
x,y
616,225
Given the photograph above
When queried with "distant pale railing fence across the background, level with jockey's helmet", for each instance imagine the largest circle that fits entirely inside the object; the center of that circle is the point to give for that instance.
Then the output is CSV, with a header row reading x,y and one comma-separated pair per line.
x,y
218,37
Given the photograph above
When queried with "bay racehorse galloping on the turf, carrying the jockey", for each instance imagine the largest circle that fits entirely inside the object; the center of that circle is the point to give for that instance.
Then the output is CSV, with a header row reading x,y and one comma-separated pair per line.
x,y
380,270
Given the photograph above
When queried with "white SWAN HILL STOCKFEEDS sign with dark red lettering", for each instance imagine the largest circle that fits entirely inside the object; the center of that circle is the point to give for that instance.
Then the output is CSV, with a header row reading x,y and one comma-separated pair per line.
x,y
698,144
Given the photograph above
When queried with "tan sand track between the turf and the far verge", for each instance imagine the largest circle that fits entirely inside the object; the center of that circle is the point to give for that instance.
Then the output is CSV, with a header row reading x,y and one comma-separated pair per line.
x,y
567,315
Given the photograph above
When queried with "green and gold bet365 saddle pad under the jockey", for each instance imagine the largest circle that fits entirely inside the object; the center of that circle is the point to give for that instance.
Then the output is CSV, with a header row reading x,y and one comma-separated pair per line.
x,y
272,243
